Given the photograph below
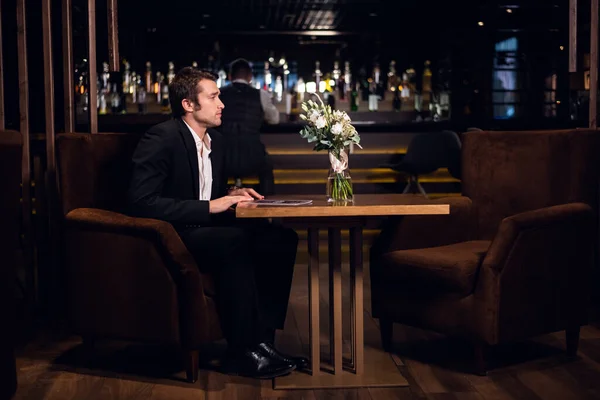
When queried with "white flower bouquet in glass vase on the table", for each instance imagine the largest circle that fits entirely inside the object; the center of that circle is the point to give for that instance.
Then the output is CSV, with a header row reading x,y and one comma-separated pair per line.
x,y
331,131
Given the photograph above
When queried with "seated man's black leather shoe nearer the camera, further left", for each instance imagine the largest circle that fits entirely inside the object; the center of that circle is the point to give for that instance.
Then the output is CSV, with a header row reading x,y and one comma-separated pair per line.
x,y
256,364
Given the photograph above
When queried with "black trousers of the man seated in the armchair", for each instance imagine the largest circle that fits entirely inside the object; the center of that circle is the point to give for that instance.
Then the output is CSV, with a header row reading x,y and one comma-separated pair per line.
x,y
252,264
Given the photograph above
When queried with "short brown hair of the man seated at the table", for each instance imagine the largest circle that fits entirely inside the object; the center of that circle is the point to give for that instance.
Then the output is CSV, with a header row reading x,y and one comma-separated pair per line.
x,y
185,86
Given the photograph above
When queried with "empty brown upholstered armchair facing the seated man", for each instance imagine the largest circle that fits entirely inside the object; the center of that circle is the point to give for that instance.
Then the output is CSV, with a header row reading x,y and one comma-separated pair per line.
x,y
514,257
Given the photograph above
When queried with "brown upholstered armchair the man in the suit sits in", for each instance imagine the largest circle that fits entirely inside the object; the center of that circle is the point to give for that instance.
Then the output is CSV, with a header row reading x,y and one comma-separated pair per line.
x,y
127,278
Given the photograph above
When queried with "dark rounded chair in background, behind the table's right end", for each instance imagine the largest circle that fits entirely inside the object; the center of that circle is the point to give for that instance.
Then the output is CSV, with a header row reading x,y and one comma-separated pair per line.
x,y
426,153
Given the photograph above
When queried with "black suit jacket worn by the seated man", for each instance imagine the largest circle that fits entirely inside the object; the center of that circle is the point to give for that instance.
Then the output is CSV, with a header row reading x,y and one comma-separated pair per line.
x,y
165,178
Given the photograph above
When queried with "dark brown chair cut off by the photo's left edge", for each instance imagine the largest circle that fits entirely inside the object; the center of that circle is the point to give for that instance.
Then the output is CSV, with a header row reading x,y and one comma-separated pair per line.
x,y
10,212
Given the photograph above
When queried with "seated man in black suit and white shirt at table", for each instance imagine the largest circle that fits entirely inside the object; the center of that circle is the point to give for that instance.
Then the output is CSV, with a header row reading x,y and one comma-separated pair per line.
x,y
178,177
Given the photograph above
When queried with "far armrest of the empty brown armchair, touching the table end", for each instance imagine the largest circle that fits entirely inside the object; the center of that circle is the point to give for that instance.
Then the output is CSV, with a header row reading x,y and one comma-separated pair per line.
x,y
421,231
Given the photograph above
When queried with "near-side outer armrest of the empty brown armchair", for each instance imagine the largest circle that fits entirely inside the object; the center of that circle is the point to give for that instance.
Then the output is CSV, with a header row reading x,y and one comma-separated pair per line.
x,y
536,275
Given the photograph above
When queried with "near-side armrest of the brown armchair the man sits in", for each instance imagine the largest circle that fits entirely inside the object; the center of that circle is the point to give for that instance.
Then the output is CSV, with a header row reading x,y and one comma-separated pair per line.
x,y
148,269
